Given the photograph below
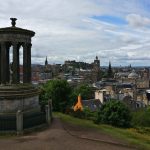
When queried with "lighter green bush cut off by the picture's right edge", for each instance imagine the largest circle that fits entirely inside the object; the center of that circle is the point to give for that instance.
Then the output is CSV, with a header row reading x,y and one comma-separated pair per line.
x,y
141,118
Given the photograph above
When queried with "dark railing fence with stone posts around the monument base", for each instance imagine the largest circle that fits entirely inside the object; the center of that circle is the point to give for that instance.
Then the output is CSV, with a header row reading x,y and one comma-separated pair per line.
x,y
20,120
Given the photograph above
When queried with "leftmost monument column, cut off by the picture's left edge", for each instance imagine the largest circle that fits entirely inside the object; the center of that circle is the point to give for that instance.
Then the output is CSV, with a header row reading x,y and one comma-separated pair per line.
x,y
3,63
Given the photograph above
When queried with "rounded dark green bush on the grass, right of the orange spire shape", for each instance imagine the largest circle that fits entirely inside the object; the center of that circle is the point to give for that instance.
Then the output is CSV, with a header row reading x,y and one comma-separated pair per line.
x,y
114,113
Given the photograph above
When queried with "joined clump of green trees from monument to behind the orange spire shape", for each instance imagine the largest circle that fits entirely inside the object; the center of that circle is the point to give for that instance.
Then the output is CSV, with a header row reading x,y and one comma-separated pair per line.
x,y
62,95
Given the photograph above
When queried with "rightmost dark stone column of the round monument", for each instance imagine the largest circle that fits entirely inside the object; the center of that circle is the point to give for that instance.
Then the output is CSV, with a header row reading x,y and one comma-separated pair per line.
x,y
27,63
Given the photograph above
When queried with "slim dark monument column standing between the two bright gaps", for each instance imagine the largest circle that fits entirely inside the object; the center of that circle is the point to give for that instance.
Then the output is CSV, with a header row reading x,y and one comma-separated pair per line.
x,y
16,67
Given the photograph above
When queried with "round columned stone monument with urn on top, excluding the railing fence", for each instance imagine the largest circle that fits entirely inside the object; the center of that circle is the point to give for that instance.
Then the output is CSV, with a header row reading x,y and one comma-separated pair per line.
x,y
15,95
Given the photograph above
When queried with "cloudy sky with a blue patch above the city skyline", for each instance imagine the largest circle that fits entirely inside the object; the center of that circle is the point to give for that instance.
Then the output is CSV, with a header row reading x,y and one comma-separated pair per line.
x,y
114,30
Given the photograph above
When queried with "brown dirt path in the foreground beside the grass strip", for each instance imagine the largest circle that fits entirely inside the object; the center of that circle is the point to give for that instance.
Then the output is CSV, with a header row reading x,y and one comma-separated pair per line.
x,y
61,137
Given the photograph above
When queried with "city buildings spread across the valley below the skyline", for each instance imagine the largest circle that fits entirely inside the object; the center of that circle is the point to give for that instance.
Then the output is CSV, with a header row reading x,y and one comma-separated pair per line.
x,y
127,84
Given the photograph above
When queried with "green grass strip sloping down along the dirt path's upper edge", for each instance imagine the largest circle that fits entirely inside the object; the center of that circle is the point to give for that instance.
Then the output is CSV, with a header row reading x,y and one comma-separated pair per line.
x,y
130,135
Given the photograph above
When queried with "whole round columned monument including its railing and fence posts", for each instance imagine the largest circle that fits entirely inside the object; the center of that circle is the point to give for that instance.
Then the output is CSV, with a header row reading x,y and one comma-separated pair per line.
x,y
19,101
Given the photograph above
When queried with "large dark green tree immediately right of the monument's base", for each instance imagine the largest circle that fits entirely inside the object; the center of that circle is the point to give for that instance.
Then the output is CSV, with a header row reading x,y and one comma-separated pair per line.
x,y
58,91
